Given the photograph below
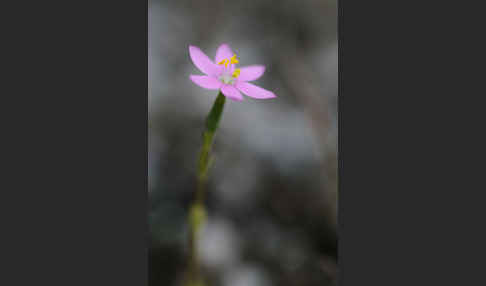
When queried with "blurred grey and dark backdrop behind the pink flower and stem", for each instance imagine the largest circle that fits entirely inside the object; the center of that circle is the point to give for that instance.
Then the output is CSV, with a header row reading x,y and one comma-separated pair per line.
x,y
272,189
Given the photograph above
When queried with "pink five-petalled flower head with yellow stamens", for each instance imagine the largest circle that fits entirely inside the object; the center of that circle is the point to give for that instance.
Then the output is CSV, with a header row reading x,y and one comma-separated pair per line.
x,y
222,74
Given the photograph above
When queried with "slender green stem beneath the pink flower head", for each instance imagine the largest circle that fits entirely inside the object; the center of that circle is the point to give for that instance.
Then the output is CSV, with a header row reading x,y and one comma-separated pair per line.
x,y
197,215
